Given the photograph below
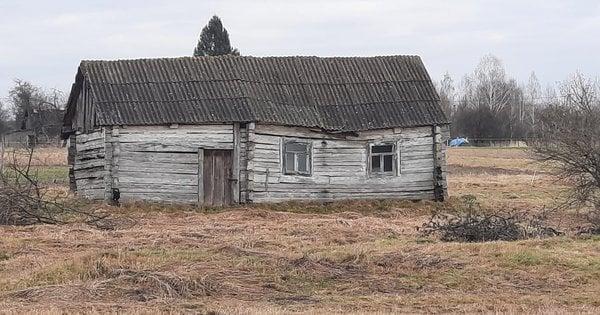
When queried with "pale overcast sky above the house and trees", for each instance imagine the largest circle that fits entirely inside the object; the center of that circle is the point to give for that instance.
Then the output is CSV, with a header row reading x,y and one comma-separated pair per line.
x,y
43,41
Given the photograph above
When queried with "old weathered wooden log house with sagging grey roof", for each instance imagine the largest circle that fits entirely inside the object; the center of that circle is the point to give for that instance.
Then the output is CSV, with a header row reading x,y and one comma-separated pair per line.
x,y
220,130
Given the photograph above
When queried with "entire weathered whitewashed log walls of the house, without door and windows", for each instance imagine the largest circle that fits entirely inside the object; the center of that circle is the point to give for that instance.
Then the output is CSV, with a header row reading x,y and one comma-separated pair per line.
x,y
161,163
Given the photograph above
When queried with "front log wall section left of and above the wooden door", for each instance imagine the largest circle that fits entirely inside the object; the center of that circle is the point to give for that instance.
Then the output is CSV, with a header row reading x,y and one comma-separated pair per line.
x,y
161,163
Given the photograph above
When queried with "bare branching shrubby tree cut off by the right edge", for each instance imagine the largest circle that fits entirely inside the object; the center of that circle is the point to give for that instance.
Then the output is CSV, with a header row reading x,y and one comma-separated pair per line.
x,y
569,134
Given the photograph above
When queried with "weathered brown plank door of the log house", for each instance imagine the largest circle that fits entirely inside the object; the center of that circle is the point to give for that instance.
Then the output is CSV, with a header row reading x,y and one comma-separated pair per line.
x,y
217,177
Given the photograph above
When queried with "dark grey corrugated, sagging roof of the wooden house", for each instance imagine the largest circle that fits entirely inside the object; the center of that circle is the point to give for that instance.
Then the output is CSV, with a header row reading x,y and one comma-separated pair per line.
x,y
338,93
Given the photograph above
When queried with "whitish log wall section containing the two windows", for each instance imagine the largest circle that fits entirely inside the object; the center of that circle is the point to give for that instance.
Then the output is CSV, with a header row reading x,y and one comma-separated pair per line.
x,y
340,168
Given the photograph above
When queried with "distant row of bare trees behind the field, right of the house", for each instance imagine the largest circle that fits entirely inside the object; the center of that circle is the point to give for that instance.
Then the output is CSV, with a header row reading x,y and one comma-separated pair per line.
x,y
488,103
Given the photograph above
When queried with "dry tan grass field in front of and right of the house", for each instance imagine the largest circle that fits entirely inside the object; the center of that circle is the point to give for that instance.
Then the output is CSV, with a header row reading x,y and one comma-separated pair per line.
x,y
347,257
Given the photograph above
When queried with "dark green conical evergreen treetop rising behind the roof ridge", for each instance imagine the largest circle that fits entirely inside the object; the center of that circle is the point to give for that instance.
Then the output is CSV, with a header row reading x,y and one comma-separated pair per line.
x,y
214,40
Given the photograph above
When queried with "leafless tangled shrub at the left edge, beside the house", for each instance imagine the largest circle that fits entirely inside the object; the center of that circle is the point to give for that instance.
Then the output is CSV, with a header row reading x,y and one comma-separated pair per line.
x,y
24,200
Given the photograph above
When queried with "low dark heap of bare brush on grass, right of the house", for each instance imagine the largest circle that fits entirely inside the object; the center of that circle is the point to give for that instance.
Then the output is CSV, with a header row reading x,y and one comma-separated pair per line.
x,y
474,225
